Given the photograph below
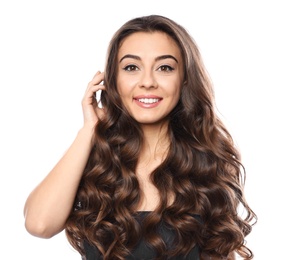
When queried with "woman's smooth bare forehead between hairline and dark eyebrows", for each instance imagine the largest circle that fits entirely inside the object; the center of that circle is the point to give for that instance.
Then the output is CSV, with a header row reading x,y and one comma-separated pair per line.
x,y
141,43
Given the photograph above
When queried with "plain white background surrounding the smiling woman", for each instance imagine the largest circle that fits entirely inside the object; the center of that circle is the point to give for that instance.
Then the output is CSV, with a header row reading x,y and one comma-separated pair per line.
x,y
49,50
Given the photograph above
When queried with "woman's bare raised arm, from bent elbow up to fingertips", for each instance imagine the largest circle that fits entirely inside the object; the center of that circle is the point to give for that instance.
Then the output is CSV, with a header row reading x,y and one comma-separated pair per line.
x,y
49,204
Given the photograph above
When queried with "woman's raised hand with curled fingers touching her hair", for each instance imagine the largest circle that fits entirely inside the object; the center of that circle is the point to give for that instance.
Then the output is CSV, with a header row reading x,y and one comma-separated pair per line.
x,y
91,111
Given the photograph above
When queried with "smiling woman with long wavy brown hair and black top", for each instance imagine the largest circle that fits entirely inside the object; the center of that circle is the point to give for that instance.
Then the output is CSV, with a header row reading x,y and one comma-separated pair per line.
x,y
153,173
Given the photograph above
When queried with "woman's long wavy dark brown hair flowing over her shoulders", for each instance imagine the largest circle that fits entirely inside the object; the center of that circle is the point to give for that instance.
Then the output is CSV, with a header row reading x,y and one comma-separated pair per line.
x,y
203,169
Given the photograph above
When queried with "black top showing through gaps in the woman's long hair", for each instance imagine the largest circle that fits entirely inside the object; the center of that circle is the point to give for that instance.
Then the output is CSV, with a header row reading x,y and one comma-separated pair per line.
x,y
143,251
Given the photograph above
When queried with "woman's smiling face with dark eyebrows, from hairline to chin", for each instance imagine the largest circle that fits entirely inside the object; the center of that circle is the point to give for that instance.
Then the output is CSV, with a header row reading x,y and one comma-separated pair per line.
x,y
150,76
